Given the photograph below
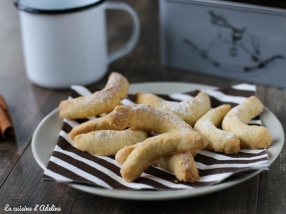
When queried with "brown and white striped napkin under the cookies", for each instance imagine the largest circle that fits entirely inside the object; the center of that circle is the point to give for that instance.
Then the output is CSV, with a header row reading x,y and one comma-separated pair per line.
x,y
68,164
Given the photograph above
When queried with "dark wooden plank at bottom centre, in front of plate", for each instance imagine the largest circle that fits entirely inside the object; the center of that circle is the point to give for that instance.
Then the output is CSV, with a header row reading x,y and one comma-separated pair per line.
x,y
225,201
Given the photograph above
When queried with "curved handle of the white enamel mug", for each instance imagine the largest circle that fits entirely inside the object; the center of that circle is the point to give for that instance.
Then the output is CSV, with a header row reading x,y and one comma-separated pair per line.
x,y
126,48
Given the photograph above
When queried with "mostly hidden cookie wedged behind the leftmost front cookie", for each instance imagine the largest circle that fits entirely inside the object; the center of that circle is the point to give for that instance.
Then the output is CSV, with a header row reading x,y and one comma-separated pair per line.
x,y
99,123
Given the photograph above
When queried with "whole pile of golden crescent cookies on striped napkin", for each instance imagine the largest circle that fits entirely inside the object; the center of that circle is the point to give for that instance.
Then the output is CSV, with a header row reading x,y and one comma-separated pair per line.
x,y
154,131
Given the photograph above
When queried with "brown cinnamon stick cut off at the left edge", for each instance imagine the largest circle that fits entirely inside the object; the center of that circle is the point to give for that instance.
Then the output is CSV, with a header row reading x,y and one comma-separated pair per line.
x,y
6,126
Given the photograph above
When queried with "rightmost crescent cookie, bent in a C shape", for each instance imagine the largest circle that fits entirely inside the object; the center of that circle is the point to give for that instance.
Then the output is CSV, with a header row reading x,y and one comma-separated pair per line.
x,y
236,121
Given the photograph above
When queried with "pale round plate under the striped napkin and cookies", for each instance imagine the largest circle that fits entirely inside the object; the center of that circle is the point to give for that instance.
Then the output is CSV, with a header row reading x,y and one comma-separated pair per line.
x,y
46,136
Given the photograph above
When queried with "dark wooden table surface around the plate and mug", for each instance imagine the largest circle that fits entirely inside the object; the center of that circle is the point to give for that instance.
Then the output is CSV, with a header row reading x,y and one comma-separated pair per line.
x,y
21,182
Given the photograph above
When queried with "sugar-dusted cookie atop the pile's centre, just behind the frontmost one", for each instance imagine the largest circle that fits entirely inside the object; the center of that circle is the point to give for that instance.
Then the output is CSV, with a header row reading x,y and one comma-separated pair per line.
x,y
144,117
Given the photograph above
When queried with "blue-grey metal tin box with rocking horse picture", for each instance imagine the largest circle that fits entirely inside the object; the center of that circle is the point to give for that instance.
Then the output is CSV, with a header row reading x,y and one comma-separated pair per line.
x,y
233,40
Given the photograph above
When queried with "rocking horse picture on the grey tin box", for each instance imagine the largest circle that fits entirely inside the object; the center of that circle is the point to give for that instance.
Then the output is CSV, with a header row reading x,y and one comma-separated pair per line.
x,y
234,43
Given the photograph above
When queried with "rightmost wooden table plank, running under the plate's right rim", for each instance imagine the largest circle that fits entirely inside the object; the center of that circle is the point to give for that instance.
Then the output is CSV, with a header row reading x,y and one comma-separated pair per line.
x,y
270,199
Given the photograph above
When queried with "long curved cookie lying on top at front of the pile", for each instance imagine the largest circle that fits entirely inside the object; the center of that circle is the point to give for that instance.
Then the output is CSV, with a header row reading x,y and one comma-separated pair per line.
x,y
158,146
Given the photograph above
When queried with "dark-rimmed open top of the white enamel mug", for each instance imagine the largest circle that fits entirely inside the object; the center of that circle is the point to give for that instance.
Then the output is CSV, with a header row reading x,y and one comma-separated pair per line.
x,y
55,6
